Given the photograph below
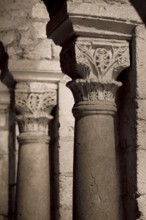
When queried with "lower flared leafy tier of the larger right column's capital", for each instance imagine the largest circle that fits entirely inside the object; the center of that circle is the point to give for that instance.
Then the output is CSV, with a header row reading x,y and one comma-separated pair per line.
x,y
84,90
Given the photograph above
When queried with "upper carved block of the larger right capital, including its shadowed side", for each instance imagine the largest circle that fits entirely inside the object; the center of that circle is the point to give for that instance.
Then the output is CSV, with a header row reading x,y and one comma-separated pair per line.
x,y
93,59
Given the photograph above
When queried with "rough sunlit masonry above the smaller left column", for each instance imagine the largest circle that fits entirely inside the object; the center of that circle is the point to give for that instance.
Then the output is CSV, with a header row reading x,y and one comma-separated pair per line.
x,y
23,32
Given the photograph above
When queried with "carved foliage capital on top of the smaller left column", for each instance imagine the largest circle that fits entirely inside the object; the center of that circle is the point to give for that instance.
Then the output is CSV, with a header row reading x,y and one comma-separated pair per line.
x,y
34,102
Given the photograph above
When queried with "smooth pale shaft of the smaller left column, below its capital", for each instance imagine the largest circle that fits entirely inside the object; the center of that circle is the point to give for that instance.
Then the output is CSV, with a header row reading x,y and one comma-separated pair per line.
x,y
33,194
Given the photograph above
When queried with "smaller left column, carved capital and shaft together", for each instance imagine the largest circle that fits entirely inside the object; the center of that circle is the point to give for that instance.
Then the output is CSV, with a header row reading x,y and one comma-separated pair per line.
x,y
34,102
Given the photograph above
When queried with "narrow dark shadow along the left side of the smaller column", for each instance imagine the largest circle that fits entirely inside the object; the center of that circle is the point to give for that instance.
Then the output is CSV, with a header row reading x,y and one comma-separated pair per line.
x,y
7,78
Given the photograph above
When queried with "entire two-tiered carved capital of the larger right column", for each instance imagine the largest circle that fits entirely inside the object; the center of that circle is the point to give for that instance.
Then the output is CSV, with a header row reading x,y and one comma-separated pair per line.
x,y
94,67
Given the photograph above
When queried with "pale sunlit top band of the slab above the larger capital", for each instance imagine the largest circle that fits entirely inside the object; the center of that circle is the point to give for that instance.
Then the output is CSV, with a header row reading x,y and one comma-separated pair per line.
x,y
103,10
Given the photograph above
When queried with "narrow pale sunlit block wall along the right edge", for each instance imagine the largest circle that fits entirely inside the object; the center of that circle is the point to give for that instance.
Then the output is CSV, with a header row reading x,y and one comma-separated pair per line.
x,y
140,45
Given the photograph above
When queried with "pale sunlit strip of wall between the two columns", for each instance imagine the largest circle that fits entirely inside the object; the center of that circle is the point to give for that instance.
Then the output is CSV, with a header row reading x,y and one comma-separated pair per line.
x,y
66,136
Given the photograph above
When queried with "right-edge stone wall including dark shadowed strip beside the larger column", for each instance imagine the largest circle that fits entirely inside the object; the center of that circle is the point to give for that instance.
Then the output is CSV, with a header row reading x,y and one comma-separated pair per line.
x,y
132,129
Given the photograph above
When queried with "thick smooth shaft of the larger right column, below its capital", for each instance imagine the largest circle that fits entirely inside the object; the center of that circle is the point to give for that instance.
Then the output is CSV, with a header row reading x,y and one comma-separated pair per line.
x,y
96,186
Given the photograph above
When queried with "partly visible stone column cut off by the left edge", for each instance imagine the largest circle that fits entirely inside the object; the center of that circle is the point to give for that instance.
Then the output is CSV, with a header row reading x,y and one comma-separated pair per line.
x,y
4,150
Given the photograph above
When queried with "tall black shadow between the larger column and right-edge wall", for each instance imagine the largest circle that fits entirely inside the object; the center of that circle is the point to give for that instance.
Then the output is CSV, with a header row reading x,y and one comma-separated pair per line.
x,y
126,120
